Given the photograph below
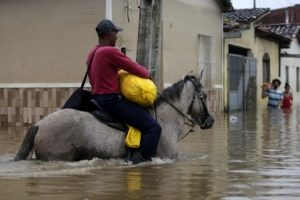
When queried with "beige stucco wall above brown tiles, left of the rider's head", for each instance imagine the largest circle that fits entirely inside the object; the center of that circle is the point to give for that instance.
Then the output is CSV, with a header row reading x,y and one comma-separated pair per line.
x,y
47,42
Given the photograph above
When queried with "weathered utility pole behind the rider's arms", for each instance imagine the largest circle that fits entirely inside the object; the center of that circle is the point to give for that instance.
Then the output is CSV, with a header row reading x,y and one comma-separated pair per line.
x,y
149,38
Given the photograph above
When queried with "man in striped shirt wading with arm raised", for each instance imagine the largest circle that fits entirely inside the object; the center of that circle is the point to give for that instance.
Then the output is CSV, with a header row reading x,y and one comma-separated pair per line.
x,y
274,94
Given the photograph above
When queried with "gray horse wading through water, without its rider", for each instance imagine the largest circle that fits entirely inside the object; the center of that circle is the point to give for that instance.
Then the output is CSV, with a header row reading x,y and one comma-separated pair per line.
x,y
72,135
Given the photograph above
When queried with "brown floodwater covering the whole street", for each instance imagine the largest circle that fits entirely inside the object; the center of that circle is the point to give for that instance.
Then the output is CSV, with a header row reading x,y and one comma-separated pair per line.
x,y
246,155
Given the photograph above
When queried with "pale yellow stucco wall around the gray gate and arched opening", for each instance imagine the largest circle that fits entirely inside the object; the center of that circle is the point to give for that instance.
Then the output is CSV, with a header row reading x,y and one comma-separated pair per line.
x,y
257,48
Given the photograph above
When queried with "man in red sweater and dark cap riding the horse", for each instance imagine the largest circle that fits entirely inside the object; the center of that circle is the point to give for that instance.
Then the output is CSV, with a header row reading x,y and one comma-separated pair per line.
x,y
103,76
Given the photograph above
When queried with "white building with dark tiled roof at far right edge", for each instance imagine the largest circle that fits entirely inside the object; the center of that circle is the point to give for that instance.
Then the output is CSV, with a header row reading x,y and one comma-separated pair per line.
x,y
286,23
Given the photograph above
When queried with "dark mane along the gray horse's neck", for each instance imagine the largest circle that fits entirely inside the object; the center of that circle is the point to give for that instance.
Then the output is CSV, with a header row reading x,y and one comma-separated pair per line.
x,y
173,92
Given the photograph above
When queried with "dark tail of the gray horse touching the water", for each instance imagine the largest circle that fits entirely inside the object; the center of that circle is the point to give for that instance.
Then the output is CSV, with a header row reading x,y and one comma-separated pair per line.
x,y
27,144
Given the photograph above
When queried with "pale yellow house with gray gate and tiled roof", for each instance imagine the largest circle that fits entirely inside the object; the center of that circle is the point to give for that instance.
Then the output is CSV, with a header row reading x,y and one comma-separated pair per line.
x,y
251,57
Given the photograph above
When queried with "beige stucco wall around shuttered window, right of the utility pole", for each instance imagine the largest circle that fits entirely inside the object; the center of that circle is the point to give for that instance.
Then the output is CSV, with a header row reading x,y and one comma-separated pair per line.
x,y
183,21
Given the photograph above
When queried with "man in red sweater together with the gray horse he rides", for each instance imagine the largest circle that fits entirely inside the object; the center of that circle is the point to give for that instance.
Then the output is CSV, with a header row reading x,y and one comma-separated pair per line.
x,y
73,135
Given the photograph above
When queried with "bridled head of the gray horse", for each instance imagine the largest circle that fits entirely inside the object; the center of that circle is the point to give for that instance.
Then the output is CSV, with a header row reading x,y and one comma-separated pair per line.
x,y
198,108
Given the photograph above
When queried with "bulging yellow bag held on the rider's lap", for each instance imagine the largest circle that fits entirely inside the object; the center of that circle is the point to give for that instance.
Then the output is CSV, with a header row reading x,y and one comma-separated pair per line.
x,y
138,90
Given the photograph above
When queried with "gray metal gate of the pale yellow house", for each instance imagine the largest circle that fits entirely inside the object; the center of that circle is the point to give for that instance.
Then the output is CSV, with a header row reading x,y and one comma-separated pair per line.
x,y
242,82
